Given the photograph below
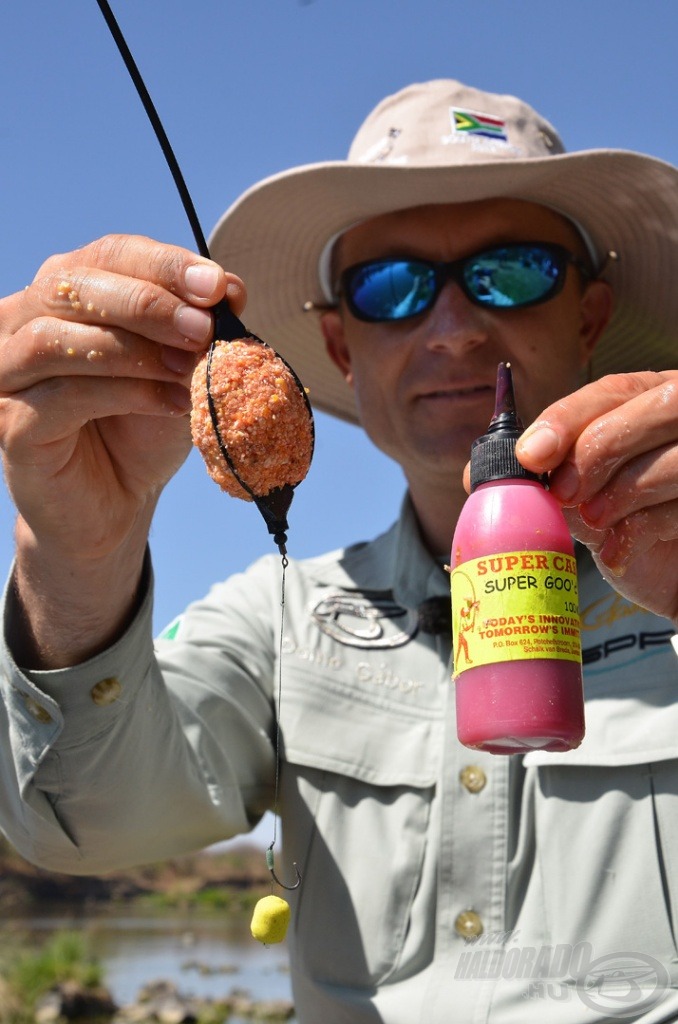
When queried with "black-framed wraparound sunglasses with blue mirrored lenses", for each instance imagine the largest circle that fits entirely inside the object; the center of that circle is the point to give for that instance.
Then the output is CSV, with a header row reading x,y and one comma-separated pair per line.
x,y
510,277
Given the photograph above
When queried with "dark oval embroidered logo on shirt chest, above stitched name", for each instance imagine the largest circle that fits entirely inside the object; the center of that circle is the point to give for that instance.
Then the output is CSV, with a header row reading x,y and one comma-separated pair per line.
x,y
363,621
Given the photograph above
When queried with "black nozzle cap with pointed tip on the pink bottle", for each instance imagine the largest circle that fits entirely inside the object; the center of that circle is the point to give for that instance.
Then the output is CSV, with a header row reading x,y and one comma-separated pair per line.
x,y
493,455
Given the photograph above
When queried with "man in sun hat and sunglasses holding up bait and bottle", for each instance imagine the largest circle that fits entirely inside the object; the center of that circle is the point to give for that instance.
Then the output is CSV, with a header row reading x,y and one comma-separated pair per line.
x,y
439,883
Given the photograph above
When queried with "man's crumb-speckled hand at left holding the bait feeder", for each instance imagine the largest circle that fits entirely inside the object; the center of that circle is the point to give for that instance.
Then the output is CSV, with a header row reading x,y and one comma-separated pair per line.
x,y
96,362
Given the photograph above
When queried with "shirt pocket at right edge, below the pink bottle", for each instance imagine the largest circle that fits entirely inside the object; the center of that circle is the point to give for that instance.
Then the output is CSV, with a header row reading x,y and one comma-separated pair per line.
x,y
614,883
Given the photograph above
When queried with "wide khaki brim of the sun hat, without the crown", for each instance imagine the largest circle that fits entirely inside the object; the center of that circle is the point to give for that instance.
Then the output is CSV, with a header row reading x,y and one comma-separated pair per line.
x,y
274,237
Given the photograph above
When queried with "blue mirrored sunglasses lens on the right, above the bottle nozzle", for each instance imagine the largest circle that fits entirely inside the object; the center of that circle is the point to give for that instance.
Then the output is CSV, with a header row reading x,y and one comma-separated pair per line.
x,y
517,277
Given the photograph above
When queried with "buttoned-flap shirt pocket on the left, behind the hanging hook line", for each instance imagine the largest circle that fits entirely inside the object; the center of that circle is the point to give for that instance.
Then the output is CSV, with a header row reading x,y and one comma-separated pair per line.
x,y
357,791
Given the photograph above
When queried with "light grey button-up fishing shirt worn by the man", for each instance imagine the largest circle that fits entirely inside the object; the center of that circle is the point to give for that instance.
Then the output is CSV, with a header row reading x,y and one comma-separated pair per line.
x,y
440,884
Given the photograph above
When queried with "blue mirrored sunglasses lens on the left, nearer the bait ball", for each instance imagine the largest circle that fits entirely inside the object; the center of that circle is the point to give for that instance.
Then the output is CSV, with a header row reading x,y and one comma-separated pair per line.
x,y
394,289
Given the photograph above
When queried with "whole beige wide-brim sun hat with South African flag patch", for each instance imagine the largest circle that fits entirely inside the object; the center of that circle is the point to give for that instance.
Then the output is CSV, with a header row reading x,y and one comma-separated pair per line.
x,y
442,142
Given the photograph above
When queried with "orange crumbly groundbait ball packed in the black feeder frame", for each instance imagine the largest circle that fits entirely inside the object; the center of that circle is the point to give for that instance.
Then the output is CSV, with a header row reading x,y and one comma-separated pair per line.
x,y
263,416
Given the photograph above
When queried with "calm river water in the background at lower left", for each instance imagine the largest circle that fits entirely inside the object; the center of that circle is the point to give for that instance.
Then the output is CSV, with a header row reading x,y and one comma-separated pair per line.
x,y
203,956
